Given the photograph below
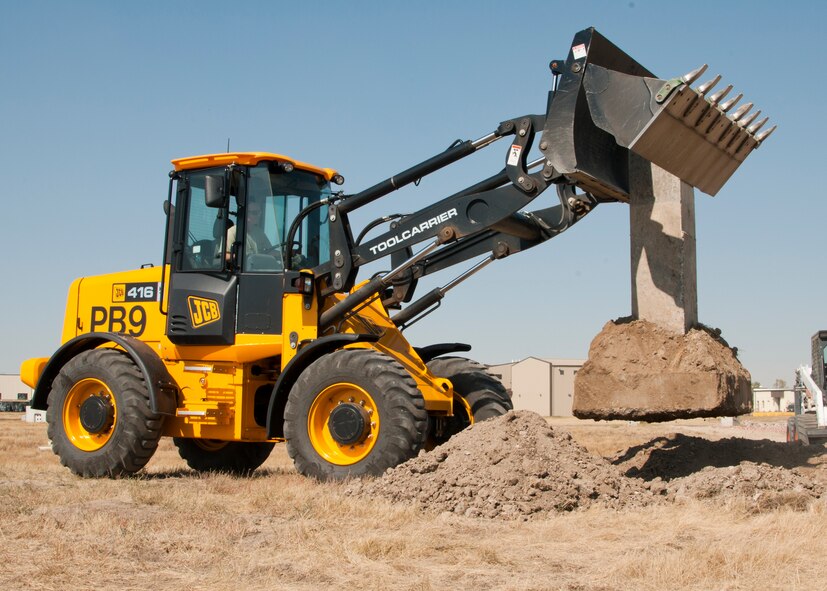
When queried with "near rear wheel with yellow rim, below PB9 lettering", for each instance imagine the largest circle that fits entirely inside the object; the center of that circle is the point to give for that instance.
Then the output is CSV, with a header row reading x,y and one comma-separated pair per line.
x,y
99,417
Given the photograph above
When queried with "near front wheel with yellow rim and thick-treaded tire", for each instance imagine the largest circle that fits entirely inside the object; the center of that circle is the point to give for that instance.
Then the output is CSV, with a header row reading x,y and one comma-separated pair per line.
x,y
353,412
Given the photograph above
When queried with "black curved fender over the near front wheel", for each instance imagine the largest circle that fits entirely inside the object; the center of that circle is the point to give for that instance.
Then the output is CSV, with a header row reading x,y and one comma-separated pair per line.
x,y
306,355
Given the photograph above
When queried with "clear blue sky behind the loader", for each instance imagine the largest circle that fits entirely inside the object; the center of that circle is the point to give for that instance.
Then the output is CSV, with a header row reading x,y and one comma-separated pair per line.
x,y
97,97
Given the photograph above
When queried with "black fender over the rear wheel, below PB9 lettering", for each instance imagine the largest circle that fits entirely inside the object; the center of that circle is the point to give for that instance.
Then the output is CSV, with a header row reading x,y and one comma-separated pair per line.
x,y
163,391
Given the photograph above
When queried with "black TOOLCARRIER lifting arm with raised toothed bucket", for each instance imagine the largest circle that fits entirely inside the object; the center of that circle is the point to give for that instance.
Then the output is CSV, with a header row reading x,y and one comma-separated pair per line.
x,y
605,105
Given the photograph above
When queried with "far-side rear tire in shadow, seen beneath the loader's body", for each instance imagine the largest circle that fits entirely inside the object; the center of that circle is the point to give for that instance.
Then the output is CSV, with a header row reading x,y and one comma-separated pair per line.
x,y
231,457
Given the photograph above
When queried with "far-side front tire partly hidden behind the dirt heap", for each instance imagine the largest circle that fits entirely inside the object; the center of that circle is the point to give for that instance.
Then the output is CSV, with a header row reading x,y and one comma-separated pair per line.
x,y
478,395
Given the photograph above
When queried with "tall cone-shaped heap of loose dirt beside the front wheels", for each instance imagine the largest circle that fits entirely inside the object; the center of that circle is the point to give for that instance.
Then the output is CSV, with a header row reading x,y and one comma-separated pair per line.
x,y
514,466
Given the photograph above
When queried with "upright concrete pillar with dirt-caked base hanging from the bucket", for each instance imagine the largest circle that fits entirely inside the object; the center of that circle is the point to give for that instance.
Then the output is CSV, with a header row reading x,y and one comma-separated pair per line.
x,y
656,366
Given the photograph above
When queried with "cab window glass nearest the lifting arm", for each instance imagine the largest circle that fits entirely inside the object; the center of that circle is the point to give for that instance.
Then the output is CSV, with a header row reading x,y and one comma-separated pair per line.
x,y
274,199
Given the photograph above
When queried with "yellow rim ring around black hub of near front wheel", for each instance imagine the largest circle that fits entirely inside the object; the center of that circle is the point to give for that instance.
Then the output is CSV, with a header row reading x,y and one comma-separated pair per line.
x,y
318,427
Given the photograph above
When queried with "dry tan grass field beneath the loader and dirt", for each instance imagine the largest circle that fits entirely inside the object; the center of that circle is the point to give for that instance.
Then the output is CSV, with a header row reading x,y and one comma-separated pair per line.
x,y
173,529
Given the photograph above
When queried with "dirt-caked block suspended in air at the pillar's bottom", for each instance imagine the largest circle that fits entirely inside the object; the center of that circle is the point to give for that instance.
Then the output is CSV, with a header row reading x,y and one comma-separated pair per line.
x,y
638,370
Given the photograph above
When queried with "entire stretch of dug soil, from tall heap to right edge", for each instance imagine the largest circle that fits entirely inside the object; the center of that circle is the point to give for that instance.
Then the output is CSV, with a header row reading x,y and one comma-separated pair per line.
x,y
517,467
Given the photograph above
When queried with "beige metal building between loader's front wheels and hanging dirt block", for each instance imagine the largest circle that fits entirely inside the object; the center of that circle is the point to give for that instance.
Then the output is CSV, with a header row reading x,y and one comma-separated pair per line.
x,y
545,386
